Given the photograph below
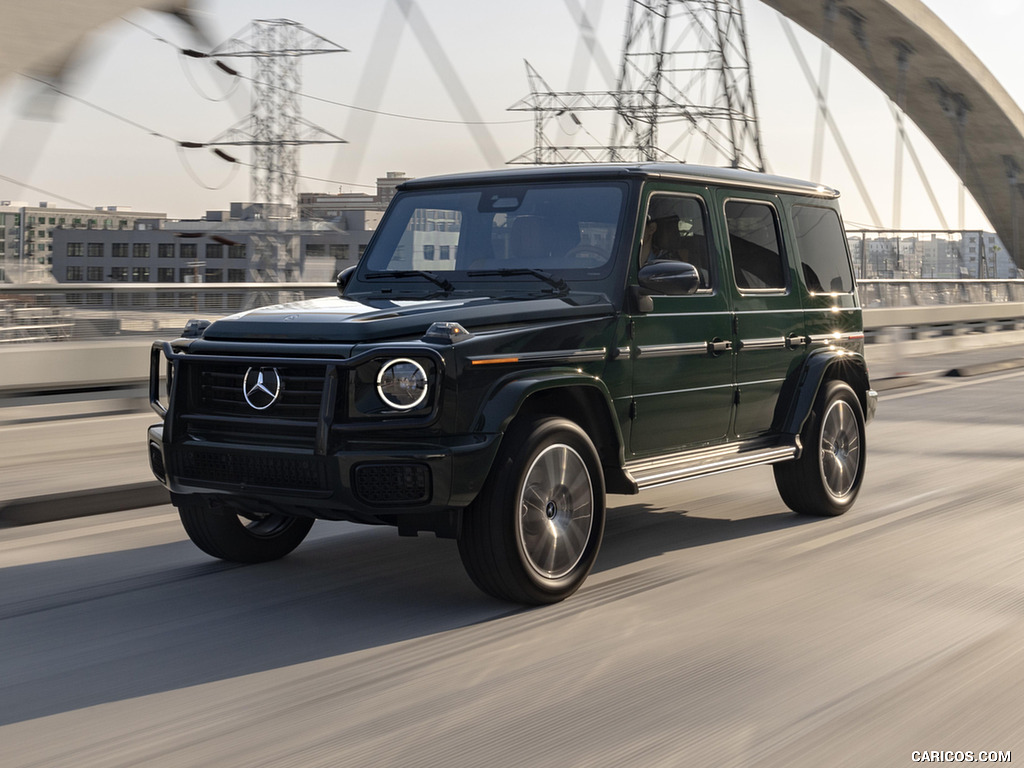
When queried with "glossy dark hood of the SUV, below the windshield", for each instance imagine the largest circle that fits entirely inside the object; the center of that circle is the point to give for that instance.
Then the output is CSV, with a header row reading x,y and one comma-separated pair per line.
x,y
337,320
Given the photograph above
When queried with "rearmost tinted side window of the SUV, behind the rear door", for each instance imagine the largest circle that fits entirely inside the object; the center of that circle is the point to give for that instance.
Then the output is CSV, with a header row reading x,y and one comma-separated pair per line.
x,y
823,250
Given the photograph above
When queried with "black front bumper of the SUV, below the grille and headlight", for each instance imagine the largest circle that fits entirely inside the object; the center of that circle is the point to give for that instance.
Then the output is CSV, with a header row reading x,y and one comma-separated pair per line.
x,y
364,481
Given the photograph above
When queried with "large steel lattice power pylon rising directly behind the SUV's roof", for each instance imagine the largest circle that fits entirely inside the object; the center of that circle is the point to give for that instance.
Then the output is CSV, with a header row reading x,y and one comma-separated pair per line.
x,y
685,93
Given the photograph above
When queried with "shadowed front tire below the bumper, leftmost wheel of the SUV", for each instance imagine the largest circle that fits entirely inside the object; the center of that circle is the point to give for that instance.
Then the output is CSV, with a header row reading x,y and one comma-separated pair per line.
x,y
227,536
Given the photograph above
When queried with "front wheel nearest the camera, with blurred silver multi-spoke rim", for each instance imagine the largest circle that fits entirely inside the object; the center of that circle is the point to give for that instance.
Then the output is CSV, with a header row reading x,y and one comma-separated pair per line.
x,y
533,535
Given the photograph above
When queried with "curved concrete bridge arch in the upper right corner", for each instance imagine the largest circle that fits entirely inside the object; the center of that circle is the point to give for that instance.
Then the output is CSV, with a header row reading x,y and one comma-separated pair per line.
x,y
916,60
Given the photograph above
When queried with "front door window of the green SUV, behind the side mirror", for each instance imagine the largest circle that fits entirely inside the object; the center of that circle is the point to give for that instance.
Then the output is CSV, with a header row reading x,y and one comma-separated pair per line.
x,y
676,231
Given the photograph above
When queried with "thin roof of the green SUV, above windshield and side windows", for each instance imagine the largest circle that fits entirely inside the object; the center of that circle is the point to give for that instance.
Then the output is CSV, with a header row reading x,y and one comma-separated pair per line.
x,y
733,178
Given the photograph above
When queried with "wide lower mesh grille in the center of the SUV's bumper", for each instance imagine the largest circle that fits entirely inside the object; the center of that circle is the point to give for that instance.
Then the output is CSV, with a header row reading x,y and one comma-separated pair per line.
x,y
254,471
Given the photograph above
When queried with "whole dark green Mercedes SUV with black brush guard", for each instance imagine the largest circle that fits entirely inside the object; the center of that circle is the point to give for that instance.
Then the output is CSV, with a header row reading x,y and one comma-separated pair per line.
x,y
514,347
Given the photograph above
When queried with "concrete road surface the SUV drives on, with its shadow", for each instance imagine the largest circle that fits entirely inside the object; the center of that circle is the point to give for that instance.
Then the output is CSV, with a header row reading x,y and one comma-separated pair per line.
x,y
717,630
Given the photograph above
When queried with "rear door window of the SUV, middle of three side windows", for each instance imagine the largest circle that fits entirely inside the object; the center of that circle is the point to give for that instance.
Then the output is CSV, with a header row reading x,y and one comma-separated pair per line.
x,y
754,243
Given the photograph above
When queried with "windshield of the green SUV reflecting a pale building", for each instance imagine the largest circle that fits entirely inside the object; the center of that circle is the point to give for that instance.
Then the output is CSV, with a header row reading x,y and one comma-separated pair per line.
x,y
529,233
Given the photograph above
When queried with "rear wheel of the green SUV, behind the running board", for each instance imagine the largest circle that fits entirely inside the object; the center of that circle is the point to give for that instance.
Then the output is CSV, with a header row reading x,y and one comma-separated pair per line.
x,y
826,480
